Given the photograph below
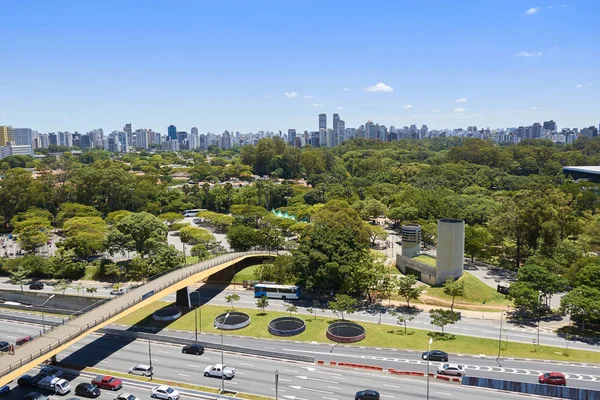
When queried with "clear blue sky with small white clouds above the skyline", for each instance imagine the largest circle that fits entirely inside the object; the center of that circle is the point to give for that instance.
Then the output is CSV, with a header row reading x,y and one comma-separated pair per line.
x,y
79,65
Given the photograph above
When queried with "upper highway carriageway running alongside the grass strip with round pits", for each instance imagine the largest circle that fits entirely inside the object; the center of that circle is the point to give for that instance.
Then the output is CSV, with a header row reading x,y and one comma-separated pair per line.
x,y
578,375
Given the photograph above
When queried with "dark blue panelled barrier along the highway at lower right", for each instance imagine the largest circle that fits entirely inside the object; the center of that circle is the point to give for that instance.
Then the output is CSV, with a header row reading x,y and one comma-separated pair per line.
x,y
561,392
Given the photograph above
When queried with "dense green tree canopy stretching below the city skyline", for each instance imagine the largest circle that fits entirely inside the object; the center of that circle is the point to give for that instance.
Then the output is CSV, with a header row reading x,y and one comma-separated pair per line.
x,y
522,212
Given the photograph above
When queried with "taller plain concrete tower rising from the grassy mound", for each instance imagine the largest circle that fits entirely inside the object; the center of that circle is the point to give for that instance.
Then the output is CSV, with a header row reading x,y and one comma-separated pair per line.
x,y
450,249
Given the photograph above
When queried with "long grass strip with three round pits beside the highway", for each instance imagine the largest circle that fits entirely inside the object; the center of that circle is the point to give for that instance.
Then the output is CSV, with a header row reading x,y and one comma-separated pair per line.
x,y
377,335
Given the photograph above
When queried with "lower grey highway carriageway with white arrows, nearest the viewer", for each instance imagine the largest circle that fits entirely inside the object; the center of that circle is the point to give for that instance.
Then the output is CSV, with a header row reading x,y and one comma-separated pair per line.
x,y
297,381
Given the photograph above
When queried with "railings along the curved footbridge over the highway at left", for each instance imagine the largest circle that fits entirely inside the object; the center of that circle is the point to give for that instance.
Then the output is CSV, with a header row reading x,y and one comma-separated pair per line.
x,y
216,261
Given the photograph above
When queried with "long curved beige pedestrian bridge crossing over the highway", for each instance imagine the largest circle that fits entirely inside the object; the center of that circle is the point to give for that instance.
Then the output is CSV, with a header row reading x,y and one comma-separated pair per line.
x,y
63,336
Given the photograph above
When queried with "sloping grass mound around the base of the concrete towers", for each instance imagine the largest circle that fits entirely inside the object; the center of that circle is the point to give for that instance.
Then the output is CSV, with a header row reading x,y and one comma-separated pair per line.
x,y
476,292
